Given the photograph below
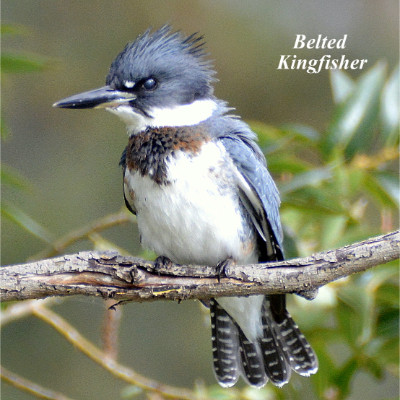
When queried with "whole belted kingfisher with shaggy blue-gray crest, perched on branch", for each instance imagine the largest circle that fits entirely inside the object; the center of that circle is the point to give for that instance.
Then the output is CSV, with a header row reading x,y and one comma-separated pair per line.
x,y
199,186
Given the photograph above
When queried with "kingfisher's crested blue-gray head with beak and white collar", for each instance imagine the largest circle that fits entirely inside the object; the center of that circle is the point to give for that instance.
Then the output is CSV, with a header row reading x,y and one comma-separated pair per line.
x,y
160,79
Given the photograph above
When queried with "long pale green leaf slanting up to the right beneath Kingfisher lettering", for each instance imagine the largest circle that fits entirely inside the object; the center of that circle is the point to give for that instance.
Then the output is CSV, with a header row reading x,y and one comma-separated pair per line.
x,y
355,115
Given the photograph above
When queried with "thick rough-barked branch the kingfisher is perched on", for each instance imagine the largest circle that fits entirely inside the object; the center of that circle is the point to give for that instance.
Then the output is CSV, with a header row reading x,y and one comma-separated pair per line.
x,y
111,275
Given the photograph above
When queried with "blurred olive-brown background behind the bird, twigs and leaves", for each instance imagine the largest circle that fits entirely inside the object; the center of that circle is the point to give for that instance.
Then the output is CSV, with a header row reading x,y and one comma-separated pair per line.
x,y
68,160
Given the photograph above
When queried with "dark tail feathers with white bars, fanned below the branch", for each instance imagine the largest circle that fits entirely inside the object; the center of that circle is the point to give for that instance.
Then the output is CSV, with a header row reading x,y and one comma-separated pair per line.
x,y
281,349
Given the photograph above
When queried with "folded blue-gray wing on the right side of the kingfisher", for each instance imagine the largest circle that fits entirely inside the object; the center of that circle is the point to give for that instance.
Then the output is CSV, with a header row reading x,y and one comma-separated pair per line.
x,y
257,189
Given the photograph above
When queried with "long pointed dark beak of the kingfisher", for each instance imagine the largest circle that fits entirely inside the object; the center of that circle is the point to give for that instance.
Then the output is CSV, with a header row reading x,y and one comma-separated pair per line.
x,y
98,98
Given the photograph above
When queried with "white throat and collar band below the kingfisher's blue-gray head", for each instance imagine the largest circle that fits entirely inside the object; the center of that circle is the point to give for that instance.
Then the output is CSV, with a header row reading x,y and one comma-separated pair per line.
x,y
182,115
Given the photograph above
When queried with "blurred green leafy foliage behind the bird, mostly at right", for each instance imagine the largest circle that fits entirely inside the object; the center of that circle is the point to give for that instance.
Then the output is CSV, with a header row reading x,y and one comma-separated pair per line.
x,y
337,187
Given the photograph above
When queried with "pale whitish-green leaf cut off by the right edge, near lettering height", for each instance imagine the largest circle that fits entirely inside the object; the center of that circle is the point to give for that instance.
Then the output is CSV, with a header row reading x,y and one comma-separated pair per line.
x,y
390,108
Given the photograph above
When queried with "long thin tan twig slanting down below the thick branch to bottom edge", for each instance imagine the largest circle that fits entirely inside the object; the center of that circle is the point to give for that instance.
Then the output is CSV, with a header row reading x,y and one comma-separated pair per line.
x,y
89,349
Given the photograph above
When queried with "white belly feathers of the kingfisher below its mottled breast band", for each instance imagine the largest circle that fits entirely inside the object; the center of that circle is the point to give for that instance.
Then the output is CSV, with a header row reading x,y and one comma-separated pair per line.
x,y
196,218
